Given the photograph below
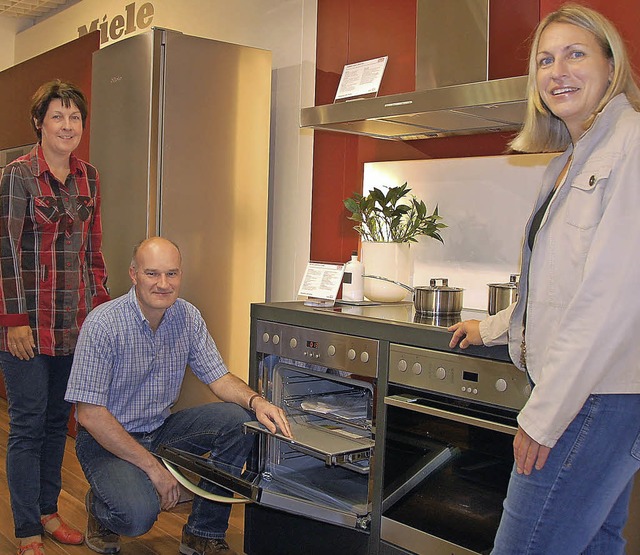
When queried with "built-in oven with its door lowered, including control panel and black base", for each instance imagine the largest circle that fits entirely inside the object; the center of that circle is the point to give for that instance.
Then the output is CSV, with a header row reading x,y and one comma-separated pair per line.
x,y
316,486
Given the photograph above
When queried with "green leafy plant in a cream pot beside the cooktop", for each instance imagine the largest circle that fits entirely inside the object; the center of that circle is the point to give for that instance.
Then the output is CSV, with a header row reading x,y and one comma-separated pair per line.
x,y
387,224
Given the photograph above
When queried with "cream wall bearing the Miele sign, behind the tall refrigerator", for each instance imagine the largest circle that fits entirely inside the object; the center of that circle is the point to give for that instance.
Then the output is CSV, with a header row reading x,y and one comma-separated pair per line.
x,y
288,29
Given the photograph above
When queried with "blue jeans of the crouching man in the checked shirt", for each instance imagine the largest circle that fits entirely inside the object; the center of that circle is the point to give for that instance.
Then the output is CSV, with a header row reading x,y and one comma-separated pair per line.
x,y
125,500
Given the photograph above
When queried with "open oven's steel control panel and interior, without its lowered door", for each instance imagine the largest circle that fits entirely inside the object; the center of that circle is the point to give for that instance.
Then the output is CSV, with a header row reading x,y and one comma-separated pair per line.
x,y
325,383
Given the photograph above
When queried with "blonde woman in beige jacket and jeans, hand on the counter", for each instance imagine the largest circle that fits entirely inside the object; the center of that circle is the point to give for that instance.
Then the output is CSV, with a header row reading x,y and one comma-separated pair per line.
x,y
573,329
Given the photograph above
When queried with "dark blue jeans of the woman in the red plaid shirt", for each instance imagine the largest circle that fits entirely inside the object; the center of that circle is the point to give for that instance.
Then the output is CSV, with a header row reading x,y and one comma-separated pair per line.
x,y
38,416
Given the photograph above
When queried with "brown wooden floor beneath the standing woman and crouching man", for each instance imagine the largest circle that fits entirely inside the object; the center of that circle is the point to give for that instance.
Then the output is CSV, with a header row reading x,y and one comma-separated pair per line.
x,y
163,539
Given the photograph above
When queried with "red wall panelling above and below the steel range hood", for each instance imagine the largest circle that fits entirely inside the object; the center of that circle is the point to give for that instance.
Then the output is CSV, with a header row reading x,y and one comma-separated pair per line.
x,y
355,30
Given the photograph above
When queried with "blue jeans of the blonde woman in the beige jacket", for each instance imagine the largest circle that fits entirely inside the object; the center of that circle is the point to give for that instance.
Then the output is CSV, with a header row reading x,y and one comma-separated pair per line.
x,y
579,501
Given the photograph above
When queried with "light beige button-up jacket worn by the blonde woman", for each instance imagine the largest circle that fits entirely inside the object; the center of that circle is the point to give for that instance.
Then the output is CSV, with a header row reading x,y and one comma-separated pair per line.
x,y
581,283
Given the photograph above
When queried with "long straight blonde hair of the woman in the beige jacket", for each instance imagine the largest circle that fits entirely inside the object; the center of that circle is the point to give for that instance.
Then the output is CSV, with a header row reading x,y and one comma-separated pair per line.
x,y
542,130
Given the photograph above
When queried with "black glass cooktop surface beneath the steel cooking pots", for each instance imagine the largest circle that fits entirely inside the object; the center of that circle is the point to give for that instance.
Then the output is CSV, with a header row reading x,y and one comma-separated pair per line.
x,y
404,313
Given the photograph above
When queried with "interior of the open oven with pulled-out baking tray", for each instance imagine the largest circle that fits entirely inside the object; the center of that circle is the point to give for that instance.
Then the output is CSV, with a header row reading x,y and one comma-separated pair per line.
x,y
325,467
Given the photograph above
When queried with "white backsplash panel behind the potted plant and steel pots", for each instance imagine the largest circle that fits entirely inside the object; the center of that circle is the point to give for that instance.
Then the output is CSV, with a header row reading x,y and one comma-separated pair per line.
x,y
485,201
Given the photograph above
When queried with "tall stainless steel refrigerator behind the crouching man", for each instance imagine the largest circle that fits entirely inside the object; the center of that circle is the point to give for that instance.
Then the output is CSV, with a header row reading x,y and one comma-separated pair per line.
x,y
180,137
